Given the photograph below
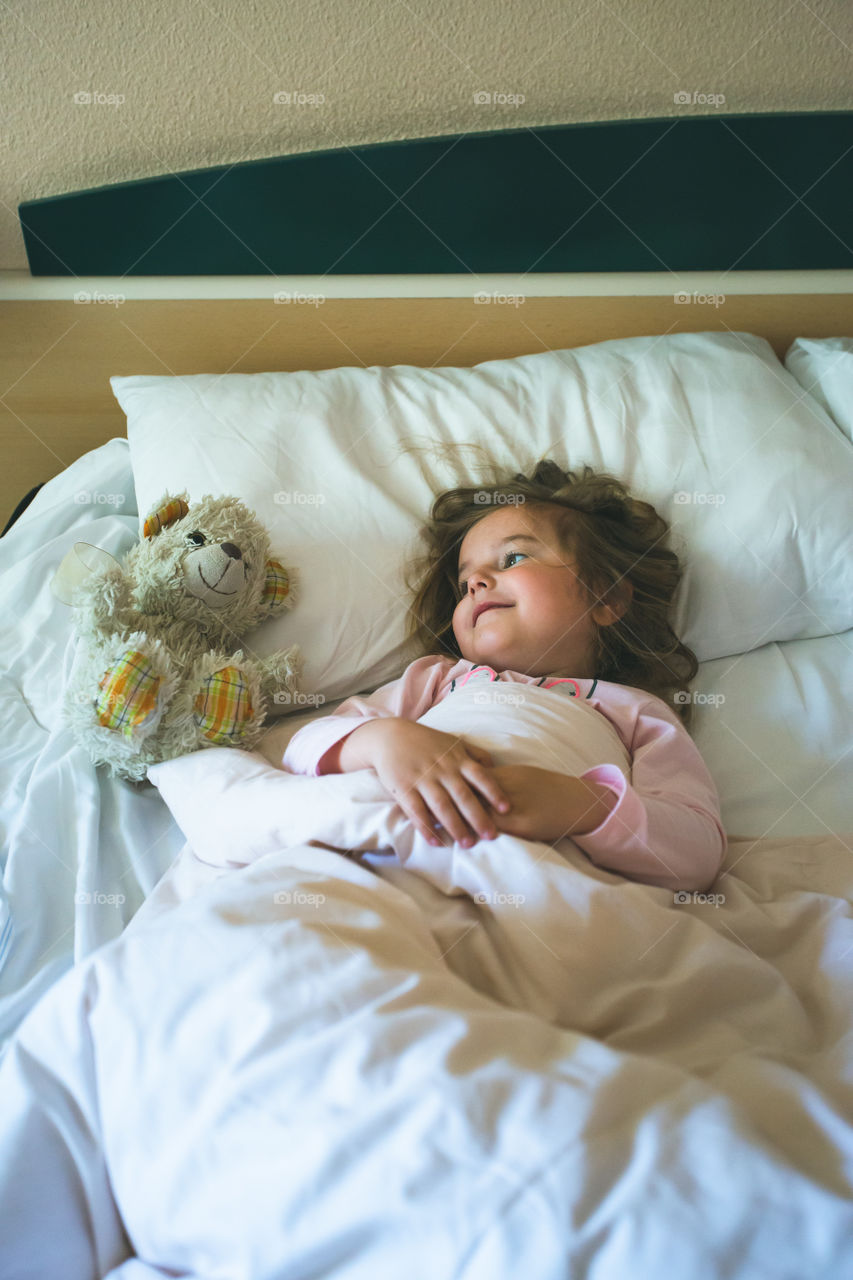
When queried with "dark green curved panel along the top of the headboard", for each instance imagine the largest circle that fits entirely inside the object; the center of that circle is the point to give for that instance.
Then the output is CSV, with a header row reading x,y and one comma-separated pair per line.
x,y
737,193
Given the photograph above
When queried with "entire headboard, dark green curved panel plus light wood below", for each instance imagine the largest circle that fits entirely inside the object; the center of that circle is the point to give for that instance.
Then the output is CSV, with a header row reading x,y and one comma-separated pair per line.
x,y
555,239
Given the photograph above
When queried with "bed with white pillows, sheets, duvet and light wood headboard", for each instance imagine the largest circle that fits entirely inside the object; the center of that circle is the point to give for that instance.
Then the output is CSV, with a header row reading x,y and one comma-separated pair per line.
x,y
230,1052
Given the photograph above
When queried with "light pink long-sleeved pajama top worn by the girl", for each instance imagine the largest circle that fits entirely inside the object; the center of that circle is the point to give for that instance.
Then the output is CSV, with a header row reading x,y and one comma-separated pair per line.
x,y
664,828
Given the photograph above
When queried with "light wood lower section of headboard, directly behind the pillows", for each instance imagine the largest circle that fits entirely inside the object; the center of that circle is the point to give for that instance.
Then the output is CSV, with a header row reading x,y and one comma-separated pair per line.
x,y
57,356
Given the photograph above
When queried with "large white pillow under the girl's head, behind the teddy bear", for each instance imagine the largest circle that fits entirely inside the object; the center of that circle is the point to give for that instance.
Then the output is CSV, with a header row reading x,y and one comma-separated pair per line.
x,y
710,428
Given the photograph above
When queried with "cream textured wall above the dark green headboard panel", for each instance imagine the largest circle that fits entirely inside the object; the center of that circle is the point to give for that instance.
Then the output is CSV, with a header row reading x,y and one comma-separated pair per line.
x,y
176,85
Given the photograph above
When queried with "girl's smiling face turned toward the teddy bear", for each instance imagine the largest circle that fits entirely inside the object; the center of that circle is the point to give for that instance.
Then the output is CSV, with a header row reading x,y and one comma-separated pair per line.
x,y
539,621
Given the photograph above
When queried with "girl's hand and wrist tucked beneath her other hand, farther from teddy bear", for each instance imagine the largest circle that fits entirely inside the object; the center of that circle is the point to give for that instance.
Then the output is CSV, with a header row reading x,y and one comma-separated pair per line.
x,y
548,807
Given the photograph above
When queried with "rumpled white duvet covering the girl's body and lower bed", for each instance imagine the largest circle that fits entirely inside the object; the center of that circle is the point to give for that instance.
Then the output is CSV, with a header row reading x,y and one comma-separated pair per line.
x,y
489,1063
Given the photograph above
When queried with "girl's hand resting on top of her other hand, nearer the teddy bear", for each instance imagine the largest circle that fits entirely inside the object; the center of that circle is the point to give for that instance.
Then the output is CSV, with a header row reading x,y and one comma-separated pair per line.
x,y
435,778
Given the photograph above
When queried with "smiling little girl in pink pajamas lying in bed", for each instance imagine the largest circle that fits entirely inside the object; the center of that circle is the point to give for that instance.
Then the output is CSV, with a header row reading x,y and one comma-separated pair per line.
x,y
556,580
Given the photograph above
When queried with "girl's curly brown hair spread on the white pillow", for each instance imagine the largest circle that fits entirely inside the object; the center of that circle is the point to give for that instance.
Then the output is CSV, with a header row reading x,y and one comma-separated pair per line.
x,y
613,540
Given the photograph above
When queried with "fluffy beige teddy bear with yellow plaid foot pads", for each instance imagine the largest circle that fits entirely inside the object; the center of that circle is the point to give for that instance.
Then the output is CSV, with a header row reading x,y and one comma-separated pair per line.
x,y
159,669
